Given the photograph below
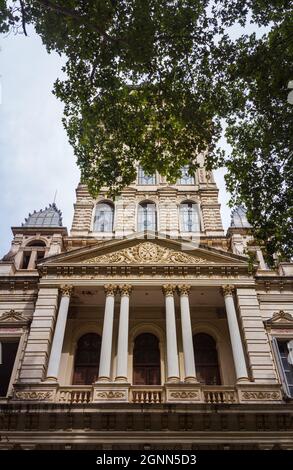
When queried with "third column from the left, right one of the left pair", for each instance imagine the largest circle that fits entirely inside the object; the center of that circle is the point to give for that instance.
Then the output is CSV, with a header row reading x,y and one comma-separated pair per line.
x,y
122,351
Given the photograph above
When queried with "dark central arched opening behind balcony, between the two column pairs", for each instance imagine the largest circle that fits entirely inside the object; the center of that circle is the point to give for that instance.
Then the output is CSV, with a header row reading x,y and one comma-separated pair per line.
x,y
146,360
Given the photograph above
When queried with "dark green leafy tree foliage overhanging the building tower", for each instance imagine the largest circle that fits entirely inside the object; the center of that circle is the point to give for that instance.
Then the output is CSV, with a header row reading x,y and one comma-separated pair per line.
x,y
153,82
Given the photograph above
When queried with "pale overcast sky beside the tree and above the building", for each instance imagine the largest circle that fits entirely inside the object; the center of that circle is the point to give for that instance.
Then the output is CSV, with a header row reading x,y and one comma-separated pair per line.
x,y
35,157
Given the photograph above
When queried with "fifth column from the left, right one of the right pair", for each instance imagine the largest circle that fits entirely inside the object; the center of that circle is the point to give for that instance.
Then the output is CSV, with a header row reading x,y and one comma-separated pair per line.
x,y
189,363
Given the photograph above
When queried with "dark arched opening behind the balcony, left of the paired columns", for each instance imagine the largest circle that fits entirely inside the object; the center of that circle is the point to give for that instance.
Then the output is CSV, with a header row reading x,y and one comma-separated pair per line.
x,y
87,359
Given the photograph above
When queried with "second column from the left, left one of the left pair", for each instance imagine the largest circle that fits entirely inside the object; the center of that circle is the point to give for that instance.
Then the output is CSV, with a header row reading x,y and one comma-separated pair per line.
x,y
106,348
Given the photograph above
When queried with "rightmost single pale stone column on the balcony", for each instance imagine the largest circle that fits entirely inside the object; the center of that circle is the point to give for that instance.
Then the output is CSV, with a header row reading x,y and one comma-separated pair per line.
x,y
236,341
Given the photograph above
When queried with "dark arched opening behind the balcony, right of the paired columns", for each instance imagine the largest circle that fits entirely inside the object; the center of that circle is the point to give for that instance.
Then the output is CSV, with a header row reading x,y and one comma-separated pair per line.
x,y
206,359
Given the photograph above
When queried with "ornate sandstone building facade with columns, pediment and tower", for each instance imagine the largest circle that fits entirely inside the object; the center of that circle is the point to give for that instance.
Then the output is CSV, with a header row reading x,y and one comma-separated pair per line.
x,y
147,327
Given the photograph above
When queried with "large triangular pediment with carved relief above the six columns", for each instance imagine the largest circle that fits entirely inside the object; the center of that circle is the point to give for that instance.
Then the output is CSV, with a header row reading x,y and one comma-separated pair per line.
x,y
145,251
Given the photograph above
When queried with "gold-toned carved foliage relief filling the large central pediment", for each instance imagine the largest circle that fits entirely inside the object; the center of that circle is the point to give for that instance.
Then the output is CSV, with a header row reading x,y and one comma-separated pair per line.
x,y
147,253
